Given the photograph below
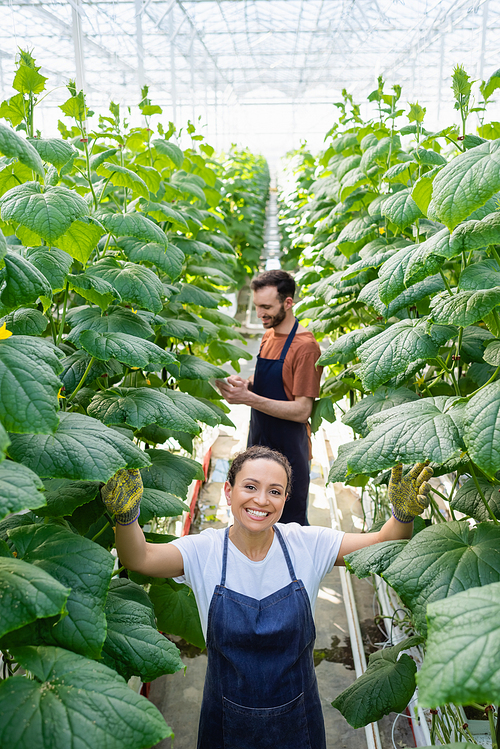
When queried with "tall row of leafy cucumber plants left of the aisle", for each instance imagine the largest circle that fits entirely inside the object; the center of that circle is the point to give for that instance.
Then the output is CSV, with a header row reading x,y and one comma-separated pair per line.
x,y
115,260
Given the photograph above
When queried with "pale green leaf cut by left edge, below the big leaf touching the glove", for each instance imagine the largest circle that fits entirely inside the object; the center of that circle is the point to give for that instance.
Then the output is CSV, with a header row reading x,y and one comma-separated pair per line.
x,y
20,488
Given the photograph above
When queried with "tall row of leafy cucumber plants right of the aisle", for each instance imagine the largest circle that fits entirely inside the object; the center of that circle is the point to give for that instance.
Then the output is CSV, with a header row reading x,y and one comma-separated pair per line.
x,y
401,270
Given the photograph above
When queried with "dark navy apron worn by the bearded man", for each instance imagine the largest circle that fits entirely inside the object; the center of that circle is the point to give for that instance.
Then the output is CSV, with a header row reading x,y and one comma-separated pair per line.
x,y
288,437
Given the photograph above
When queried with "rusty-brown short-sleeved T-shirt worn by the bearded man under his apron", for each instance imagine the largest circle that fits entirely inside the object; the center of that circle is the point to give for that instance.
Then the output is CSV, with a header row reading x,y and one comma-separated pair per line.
x,y
300,376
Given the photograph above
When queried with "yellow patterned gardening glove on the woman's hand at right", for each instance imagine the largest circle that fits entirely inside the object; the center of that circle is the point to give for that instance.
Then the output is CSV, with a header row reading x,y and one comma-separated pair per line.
x,y
409,495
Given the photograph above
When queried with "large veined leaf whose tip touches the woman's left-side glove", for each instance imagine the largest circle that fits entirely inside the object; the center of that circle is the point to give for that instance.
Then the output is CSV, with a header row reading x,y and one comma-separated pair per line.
x,y
81,448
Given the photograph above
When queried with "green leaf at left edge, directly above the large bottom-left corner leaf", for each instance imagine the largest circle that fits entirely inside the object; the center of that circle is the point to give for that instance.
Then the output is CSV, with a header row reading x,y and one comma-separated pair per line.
x,y
28,593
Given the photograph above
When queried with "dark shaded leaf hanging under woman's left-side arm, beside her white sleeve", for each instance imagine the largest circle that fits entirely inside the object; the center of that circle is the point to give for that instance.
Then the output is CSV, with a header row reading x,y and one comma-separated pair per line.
x,y
176,611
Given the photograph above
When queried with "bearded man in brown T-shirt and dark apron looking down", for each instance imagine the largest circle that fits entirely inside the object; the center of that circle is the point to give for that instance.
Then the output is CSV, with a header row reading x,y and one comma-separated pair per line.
x,y
282,390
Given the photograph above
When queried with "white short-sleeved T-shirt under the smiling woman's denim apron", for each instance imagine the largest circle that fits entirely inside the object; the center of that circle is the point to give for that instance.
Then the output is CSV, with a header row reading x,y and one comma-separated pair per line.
x,y
313,551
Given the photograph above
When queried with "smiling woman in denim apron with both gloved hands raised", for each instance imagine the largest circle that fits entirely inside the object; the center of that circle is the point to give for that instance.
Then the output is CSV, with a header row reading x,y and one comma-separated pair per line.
x,y
256,585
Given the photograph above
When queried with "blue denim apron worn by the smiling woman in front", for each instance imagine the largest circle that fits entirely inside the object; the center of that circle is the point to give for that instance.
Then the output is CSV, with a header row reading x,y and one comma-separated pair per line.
x,y
260,687
